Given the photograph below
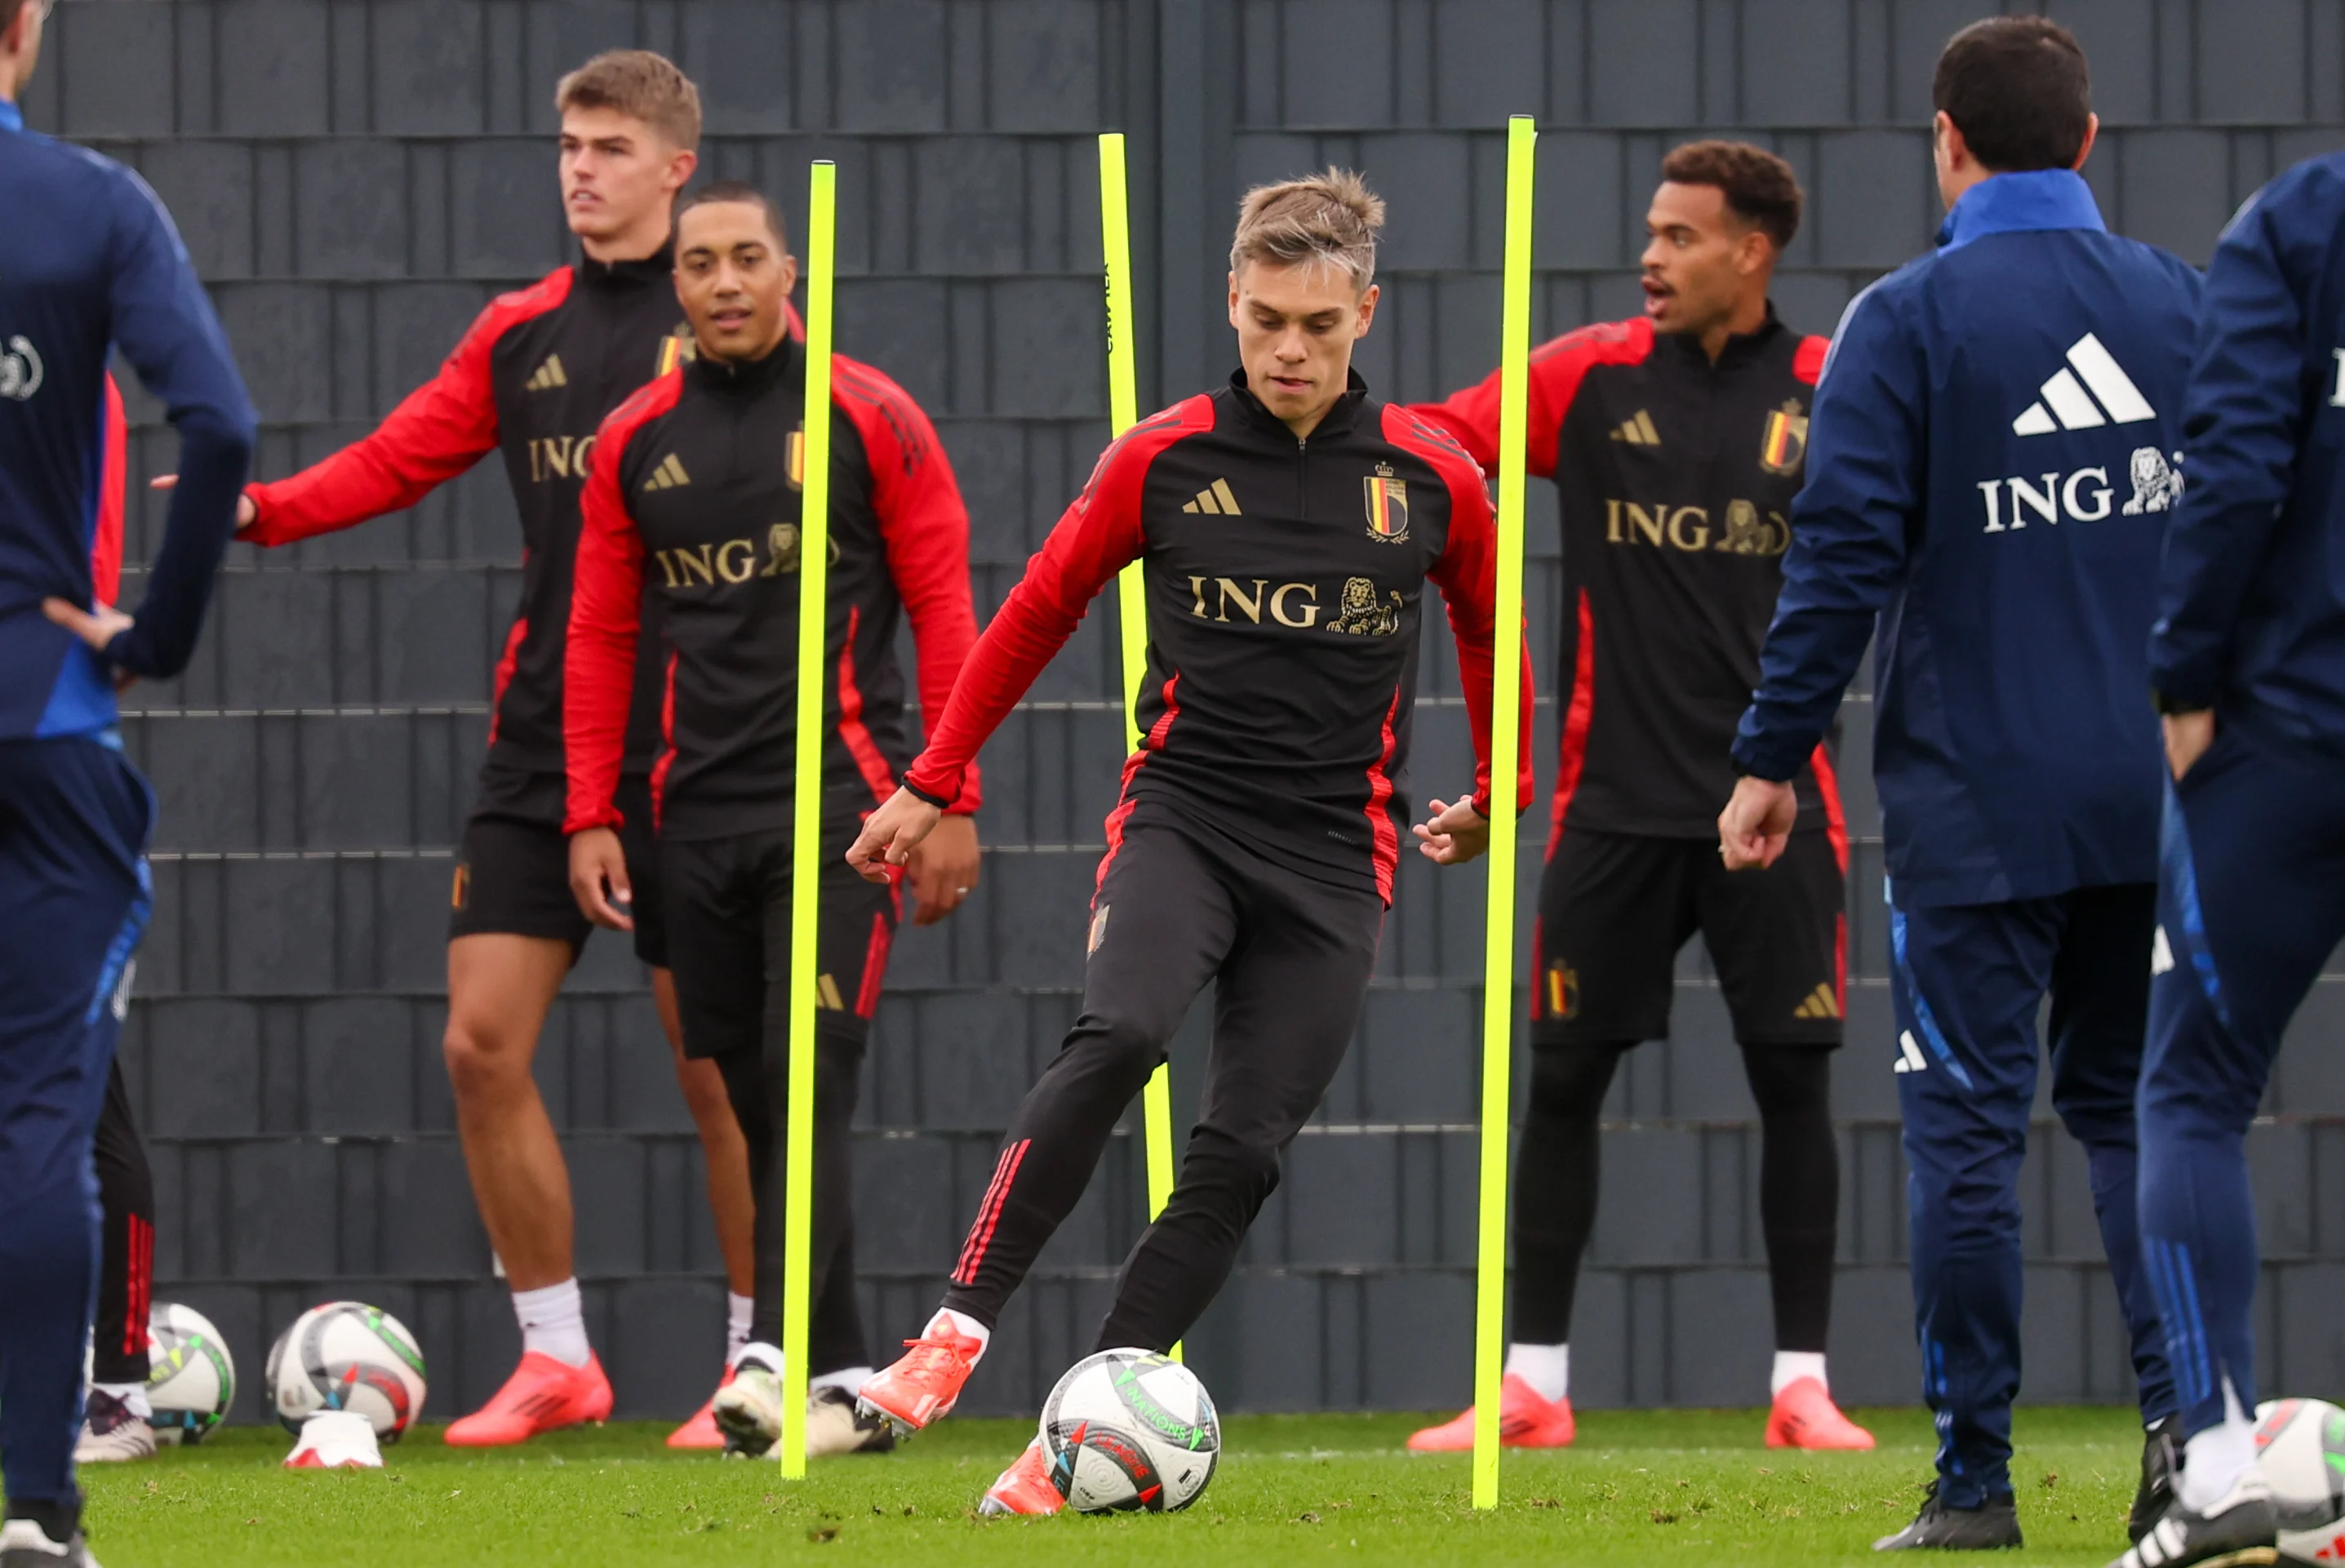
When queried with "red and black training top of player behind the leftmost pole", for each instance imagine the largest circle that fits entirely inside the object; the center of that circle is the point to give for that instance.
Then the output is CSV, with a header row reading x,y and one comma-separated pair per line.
x,y
693,500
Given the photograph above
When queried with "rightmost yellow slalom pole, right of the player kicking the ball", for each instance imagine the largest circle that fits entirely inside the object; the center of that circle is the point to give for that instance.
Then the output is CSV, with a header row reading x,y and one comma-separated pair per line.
x,y
1504,761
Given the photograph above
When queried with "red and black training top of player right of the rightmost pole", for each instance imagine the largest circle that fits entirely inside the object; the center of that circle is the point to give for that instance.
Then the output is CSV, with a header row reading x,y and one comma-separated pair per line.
x,y
1676,479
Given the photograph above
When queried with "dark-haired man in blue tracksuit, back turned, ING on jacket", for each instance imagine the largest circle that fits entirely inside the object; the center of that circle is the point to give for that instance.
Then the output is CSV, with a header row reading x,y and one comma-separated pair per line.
x,y
1990,477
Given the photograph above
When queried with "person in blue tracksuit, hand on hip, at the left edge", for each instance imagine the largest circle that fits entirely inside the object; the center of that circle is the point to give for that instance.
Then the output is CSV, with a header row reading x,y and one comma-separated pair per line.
x,y
88,266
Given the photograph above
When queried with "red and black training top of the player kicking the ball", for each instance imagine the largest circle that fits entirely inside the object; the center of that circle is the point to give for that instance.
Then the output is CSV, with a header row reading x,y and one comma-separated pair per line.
x,y
1284,587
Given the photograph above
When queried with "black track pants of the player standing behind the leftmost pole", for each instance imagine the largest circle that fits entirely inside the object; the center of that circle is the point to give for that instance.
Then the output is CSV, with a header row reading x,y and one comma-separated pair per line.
x,y
730,953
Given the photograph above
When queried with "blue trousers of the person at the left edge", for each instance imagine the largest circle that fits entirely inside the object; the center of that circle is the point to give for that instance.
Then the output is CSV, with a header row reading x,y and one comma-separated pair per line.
x,y
74,901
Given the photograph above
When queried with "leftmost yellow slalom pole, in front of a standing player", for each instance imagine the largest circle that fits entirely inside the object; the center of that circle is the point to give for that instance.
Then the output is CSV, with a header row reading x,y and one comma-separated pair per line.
x,y
808,822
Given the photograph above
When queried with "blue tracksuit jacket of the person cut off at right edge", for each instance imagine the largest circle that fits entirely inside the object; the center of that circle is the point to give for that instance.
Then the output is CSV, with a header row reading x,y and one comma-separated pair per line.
x,y
2252,596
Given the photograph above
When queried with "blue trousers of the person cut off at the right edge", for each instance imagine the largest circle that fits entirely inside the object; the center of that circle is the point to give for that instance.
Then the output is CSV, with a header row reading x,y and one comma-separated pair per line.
x,y
2250,904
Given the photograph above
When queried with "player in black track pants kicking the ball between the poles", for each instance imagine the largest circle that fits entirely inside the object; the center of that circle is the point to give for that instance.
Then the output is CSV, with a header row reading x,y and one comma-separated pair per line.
x,y
1289,526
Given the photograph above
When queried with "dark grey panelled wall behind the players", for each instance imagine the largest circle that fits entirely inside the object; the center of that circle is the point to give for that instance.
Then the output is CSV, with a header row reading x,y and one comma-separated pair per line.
x,y
358,177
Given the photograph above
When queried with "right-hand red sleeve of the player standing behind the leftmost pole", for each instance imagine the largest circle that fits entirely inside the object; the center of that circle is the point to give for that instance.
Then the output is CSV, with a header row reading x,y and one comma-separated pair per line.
x,y
925,531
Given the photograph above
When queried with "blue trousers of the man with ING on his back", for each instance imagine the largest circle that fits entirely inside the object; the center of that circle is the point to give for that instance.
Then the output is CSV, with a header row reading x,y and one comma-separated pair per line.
x,y
1969,983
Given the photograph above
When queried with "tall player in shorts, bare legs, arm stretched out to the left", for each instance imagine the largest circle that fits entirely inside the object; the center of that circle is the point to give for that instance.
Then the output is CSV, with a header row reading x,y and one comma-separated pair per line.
x,y
531,381
